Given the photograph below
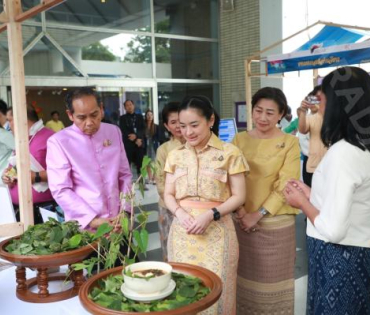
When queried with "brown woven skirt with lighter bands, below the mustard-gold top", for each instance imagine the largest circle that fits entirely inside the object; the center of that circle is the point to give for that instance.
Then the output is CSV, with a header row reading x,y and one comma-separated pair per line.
x,y
265,282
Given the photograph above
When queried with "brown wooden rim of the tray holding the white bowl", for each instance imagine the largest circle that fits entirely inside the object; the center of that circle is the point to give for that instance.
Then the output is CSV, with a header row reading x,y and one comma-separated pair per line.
x,y
209,279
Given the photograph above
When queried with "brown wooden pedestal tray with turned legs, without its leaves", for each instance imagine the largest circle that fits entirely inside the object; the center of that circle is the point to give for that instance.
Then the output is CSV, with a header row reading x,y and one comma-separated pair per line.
x,y
42,263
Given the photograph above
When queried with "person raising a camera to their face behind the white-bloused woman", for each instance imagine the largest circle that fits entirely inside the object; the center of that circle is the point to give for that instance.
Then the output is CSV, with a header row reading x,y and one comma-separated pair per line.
x,y
312,124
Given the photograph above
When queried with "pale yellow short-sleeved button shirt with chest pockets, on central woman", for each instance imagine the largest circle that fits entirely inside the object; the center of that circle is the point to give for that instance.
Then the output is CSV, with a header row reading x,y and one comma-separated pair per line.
x,y
204,175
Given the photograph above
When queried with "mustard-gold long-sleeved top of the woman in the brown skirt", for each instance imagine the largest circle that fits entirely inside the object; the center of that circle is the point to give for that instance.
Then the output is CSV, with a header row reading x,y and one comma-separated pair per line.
x,y
272,163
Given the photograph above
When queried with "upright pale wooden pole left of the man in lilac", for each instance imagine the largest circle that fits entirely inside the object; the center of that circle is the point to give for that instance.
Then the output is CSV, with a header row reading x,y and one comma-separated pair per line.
x,y
14,8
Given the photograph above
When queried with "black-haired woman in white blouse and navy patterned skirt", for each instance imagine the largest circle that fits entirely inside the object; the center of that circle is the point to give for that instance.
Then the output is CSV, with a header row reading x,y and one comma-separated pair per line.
x,y
338,205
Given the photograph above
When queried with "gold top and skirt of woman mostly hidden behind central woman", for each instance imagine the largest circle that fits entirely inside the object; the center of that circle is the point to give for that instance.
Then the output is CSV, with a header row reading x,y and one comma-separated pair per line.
x,y
165,217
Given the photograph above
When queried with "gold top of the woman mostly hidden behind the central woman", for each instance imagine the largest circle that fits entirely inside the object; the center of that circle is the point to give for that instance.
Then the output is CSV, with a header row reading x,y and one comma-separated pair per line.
x,y
161,156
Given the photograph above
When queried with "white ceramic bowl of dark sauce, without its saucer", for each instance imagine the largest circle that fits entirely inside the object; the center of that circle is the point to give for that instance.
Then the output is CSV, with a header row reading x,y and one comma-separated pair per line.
x,y
147,286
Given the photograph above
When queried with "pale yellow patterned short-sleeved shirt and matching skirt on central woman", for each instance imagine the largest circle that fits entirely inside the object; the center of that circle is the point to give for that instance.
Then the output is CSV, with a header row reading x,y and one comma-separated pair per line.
x,y
202,182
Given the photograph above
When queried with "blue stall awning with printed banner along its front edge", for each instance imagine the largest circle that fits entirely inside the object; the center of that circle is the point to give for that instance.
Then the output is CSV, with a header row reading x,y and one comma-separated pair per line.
x,y
332,46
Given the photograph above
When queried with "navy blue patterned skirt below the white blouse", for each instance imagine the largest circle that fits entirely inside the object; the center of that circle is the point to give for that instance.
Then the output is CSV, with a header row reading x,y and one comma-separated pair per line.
x,y
338,279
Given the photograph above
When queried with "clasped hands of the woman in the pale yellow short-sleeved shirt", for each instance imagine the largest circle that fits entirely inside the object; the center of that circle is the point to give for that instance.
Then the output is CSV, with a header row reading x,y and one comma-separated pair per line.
x,y
197,225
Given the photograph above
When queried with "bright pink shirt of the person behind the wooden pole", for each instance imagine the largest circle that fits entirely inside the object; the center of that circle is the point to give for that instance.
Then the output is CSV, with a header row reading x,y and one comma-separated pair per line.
x,y
38,150
